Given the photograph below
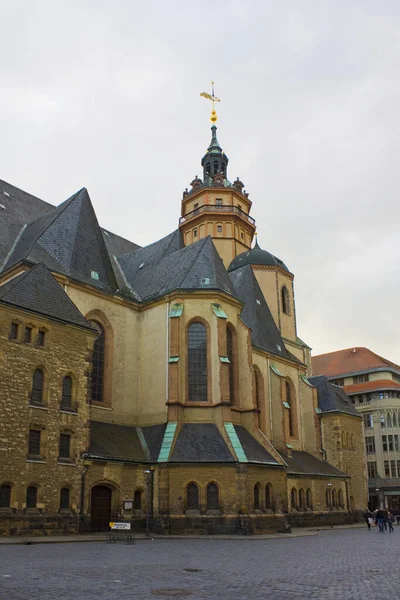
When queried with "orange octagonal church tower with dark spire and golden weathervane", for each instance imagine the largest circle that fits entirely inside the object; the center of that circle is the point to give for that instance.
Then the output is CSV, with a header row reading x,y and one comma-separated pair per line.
x,y
216,207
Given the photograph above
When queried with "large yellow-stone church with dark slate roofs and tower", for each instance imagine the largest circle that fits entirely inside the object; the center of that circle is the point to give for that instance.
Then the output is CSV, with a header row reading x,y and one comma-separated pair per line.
x,y
163,385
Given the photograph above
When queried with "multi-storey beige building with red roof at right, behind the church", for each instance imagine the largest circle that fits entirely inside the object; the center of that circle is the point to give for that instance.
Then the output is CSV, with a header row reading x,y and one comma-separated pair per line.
x,y
373,385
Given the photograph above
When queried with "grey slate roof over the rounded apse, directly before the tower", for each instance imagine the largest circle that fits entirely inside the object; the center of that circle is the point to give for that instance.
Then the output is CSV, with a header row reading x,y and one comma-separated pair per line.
x,y
167,266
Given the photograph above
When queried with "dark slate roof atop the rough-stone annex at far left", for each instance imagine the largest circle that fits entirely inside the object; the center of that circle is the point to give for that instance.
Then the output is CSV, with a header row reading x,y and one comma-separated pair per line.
x,y
36,290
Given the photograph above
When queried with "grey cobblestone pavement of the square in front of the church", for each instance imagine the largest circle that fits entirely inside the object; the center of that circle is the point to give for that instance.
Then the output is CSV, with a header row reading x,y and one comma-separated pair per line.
x,y
350,565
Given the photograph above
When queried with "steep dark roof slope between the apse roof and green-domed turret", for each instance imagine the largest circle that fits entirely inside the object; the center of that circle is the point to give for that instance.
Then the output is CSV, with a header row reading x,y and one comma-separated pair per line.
x,y
256,313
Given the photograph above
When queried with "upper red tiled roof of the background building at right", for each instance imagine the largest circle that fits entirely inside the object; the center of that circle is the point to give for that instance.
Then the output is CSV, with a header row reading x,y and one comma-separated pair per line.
x,y
346,361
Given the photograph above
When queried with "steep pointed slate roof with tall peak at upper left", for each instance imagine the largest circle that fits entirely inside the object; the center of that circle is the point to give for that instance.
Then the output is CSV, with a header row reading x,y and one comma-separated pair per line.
x,y
68,240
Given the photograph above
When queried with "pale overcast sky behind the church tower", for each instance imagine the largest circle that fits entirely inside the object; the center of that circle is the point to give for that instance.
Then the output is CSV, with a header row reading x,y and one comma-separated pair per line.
x,y
105,94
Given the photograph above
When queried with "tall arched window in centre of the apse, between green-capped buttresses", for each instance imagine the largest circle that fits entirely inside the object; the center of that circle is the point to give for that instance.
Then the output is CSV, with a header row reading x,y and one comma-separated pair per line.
x,y
197,363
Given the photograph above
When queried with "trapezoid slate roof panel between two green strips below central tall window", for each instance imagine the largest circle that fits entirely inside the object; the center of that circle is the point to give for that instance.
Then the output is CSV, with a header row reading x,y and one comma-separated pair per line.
x,y
200,443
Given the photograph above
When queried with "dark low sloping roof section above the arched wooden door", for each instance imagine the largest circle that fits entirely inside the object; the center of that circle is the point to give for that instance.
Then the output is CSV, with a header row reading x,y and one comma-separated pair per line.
x,y
108,440
